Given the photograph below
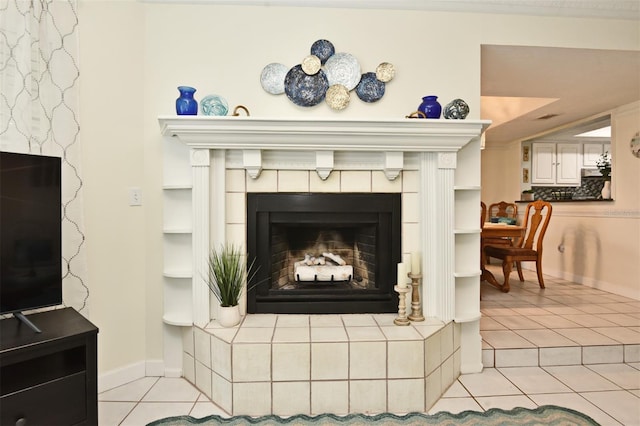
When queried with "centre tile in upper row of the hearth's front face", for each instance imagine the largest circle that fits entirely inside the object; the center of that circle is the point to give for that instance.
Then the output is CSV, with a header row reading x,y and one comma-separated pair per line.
x,y
329,361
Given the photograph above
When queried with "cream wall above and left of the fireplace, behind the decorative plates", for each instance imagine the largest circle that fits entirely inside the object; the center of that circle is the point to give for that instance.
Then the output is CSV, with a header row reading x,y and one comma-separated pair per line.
x,y
134,54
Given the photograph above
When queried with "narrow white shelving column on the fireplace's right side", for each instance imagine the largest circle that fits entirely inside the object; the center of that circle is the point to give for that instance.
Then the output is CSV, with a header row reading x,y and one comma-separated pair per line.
x,y
467,255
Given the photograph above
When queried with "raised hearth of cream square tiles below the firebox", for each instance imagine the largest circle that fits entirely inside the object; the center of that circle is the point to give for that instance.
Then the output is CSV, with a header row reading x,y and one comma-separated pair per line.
x,y
311,364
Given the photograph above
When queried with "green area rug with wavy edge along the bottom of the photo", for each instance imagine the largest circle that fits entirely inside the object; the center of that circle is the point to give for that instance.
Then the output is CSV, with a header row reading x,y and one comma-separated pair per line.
x,y
544,415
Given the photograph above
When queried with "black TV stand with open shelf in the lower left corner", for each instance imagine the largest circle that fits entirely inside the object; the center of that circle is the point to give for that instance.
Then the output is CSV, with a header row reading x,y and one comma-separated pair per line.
x,y
49,378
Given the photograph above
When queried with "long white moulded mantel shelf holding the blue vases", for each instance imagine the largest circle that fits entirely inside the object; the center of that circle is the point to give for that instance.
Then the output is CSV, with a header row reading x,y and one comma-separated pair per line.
x,y
406,135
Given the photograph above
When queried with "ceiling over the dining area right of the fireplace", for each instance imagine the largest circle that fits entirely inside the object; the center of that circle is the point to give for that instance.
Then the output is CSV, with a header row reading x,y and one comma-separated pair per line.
x,y
520,84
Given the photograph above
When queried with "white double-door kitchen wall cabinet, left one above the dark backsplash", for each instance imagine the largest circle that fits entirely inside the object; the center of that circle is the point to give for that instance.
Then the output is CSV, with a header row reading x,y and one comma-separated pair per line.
x,y
556,164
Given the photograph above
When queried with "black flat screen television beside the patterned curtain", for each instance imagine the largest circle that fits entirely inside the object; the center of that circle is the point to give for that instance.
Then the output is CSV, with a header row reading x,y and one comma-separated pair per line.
x,y
30,233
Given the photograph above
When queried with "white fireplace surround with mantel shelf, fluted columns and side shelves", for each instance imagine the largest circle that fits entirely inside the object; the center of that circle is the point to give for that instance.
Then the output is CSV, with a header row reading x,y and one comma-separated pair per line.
x,y
445,152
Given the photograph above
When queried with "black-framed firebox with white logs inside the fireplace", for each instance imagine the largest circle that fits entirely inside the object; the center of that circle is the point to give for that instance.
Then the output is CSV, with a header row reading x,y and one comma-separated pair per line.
x,y
319,253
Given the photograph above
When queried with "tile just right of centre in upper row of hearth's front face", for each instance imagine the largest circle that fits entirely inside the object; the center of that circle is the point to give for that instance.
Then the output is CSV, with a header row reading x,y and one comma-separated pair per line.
x,y
367,360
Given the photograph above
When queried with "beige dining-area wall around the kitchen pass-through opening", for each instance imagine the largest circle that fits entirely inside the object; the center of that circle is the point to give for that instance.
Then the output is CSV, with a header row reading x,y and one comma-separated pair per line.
x,y
601,240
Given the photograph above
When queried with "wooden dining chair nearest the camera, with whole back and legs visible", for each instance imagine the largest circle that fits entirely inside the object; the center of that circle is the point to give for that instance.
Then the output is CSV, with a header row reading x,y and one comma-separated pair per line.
x,y
529,248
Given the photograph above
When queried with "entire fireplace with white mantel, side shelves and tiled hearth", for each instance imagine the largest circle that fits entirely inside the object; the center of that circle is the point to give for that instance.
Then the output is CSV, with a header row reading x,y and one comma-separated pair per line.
x,y
429,170
